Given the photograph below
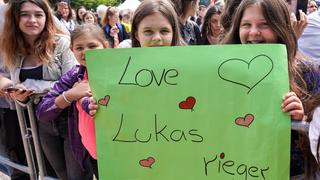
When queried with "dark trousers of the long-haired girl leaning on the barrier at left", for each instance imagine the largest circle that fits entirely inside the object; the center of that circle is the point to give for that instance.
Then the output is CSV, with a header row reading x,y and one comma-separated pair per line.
x,y
56,147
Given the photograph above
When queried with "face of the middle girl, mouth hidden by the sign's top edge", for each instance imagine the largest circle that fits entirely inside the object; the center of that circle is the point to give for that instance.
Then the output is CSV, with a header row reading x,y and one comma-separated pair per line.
x,y
154,30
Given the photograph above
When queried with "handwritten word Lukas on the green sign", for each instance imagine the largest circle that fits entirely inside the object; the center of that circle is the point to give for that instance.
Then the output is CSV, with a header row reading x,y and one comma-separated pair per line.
x,y
156,134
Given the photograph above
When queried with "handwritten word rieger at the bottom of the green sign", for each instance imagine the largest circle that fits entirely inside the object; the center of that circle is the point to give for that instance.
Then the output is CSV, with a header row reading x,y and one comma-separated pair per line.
x,y
234,169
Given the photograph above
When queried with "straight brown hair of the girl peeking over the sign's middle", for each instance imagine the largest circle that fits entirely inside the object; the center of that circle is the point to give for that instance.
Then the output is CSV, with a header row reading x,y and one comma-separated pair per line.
x,y
165,8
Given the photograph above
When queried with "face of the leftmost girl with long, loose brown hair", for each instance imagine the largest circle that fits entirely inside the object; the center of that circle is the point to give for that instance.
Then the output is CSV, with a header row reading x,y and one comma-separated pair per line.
x,y
32,20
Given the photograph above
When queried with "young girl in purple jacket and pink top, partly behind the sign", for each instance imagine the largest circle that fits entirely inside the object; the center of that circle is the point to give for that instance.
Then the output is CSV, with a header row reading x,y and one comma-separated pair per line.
x,y
72,93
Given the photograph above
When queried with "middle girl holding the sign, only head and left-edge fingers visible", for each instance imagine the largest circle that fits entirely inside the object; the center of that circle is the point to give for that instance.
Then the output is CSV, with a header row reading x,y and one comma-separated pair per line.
x,y
155,23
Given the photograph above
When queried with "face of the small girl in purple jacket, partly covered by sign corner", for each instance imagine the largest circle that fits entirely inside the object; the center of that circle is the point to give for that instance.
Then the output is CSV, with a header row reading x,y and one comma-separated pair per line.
x,y
83,43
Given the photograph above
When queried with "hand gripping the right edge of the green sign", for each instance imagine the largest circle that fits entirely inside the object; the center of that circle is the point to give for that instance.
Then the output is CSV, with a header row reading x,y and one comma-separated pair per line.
x,y
293,105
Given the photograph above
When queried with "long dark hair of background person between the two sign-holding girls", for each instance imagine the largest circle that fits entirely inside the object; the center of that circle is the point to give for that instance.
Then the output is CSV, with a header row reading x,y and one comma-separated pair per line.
x,y
206,27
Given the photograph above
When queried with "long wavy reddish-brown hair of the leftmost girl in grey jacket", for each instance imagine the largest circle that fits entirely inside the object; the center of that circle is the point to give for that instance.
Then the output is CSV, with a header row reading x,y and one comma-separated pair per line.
x,y
12,43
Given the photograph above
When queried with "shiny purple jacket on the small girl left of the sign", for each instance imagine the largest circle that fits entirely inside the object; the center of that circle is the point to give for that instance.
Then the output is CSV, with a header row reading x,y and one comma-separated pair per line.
x,y
47,111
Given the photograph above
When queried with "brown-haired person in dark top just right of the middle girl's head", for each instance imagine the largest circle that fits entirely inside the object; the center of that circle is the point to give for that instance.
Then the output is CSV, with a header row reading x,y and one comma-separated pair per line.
x,y
190,31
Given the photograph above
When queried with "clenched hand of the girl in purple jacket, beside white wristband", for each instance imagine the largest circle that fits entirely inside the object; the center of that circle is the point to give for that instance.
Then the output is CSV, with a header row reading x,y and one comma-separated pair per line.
x,y
79,90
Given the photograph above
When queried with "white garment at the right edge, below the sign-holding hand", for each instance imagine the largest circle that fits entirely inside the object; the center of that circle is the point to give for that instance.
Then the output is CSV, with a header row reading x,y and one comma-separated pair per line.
x,y
314,132
